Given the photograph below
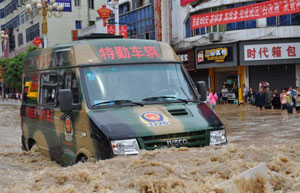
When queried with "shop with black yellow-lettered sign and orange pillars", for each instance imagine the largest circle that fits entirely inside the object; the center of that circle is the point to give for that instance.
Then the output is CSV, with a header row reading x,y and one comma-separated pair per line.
x,y
220,62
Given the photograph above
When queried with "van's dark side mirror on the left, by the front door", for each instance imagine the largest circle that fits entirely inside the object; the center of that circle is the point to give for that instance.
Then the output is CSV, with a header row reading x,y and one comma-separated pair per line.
x,y
65,100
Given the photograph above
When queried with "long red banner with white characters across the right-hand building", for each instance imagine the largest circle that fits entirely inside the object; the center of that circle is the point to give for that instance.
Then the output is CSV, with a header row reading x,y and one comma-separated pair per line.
x,y
250,12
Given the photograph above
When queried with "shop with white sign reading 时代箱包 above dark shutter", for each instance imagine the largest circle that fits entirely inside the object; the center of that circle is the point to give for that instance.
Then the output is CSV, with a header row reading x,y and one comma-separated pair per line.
x,y
272,61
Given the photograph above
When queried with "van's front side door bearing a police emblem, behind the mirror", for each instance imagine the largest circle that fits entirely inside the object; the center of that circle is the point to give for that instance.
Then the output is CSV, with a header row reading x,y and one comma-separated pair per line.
x,y
70,121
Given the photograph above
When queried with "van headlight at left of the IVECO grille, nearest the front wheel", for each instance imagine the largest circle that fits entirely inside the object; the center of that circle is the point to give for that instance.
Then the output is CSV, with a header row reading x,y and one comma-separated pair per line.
x,y
125,147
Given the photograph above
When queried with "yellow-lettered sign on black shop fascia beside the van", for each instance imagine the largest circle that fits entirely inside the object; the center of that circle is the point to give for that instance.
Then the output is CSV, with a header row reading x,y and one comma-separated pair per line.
x,y
214,55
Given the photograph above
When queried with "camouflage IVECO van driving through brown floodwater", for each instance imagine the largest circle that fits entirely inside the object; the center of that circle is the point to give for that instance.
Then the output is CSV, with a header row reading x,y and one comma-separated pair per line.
x,y
99,98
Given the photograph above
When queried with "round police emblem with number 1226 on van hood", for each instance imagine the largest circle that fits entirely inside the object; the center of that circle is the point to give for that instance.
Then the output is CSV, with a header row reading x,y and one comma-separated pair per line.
x,y
153,119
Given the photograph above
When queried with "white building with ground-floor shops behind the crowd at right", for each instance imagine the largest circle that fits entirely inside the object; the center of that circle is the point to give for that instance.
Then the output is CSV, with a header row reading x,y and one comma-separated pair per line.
x,y
234,54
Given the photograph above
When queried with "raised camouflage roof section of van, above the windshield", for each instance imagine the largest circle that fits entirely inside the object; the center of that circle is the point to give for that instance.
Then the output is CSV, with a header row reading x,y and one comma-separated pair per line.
x,y
99,52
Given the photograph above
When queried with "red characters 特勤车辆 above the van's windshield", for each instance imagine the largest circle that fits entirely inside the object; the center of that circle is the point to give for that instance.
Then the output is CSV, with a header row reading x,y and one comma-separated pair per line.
x,y
128,52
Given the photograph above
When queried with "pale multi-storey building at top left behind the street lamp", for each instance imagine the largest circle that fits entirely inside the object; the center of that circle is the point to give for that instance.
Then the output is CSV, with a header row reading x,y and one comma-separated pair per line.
x,y
22,28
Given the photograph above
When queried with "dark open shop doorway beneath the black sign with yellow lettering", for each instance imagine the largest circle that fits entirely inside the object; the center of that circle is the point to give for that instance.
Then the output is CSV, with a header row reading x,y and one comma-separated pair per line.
x,y
229,77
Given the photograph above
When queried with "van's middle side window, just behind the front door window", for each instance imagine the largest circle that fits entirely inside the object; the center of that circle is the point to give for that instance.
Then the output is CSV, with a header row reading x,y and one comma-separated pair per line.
x,y
48,89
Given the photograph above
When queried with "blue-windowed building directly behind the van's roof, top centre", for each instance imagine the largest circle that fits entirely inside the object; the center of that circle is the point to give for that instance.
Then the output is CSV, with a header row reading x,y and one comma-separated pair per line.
x,y
145,19
